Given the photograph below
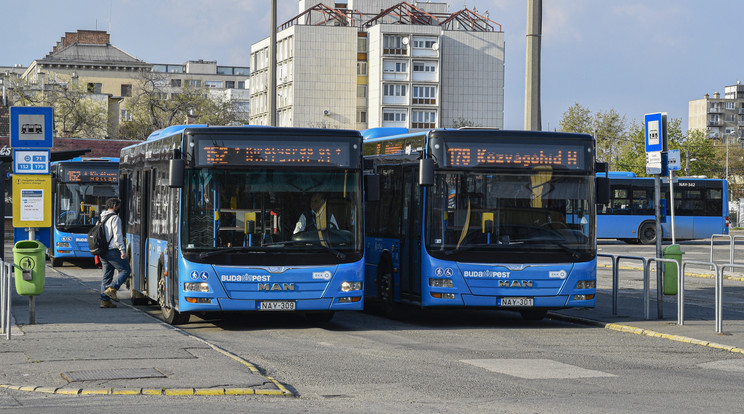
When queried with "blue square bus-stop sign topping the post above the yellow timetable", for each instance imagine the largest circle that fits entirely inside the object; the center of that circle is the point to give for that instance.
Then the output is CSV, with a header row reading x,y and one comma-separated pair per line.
x,y
31,127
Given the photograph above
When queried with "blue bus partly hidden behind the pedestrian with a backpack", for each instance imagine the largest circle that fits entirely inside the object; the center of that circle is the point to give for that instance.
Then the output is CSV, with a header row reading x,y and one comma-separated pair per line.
x,y
80,187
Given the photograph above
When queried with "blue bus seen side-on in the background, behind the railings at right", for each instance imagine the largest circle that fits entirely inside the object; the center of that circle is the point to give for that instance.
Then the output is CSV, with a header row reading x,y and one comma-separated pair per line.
x,y
700,209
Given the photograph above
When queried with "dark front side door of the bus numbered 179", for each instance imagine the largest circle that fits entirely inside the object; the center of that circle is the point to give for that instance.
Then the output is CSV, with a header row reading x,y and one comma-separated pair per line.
x,y
410,253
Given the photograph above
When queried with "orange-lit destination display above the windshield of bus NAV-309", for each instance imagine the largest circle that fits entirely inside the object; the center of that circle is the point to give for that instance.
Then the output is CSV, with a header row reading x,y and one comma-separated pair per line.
x,y
276,153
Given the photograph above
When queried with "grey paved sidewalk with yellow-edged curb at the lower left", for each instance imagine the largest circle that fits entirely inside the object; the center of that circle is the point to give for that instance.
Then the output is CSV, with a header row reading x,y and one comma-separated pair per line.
x,y
75,347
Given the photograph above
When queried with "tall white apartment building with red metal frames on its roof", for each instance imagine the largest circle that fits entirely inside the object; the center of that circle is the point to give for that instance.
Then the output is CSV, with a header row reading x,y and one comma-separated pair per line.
x,y
365,64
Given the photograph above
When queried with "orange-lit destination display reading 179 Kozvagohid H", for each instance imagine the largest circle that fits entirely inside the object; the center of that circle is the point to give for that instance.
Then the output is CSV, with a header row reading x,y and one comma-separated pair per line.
x,y
481,154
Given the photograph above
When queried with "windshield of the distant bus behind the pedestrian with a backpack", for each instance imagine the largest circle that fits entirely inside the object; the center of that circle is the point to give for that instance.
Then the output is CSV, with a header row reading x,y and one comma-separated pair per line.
x,y
79,204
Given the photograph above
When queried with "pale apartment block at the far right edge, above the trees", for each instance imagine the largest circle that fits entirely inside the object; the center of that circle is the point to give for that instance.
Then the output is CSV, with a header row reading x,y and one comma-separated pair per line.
x,y
720,116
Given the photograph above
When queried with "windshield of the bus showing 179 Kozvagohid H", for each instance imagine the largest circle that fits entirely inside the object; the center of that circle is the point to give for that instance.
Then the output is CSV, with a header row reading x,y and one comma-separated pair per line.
x,y
543,216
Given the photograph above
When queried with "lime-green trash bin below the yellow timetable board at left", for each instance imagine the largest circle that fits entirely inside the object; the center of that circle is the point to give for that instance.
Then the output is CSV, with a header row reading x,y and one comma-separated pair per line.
x,y
29,263
